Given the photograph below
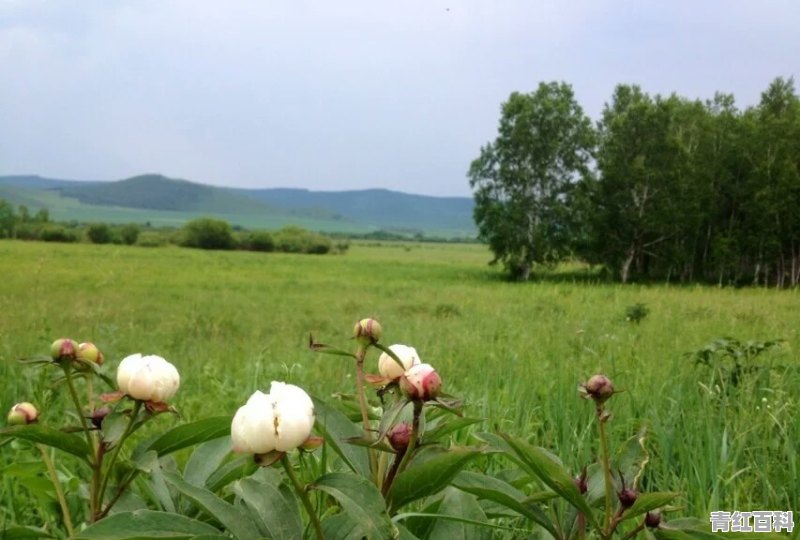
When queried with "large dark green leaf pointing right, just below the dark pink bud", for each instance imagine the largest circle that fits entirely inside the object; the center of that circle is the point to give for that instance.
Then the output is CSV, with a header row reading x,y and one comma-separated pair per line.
x,y
429,472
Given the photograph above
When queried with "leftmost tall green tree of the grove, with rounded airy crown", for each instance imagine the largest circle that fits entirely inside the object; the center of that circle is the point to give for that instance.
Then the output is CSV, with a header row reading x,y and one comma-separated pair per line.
x,y
522,180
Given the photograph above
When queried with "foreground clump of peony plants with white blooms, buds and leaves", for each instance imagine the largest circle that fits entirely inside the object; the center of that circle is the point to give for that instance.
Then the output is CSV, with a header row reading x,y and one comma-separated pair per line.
x,y
380,463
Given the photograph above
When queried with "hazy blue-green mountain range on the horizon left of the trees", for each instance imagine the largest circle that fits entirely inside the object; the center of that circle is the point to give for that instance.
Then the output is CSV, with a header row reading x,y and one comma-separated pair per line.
x,y
163,201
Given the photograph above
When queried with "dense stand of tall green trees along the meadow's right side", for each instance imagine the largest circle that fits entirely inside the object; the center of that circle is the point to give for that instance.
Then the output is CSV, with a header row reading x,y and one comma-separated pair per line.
x,y
661,188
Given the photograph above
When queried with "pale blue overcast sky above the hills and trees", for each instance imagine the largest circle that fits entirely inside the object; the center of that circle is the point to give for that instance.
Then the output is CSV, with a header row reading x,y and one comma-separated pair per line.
x,y
336,95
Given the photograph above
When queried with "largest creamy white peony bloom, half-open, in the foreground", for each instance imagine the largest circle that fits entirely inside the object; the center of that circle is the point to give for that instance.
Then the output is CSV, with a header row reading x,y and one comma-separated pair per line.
x,y
281,420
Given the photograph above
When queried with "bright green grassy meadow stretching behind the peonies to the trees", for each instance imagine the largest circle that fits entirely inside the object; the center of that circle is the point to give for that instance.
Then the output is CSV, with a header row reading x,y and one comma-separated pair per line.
x,y
233,321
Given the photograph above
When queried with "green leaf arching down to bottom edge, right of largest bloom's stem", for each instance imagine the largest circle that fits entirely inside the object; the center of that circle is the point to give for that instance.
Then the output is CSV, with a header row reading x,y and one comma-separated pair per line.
x,y
361,501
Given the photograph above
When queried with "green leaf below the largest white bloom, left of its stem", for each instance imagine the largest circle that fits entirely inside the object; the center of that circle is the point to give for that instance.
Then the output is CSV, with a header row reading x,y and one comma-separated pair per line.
x,y
275,508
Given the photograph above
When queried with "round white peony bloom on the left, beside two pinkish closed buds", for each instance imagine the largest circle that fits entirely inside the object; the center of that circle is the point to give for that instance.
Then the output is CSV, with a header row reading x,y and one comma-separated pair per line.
x,y
148,378
